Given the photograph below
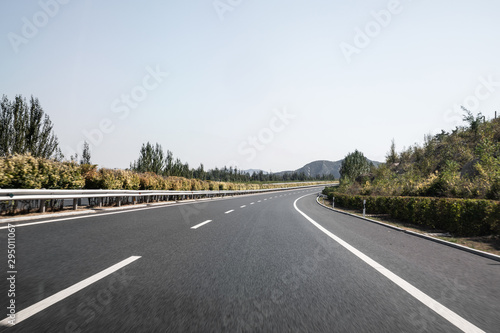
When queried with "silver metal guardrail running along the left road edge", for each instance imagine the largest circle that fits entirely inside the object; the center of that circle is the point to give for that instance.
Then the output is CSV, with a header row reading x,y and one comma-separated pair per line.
x,y
119,196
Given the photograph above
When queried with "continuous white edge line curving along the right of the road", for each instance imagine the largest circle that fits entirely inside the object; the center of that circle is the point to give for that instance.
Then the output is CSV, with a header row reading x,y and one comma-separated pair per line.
x,y
434,305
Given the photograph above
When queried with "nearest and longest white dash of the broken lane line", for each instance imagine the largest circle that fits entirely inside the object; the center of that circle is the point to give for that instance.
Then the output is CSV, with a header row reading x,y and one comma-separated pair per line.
x,y
43,304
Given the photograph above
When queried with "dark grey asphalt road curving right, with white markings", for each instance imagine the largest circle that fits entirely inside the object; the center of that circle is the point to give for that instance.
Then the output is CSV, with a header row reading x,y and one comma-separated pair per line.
x,y
259,265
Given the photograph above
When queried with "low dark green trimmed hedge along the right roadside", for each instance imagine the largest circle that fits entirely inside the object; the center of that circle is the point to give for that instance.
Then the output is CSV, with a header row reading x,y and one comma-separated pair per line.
x,y
461,217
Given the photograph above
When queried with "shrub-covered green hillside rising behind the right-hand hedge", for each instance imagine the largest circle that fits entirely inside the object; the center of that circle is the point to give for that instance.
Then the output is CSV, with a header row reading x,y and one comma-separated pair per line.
x,y
464,163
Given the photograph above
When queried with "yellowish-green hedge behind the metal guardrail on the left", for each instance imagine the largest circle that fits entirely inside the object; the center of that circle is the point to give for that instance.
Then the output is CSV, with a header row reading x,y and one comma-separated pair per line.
x,y
28,172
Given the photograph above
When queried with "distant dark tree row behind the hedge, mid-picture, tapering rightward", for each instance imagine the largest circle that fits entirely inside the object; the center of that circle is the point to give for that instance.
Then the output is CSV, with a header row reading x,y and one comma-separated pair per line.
x,y
152,158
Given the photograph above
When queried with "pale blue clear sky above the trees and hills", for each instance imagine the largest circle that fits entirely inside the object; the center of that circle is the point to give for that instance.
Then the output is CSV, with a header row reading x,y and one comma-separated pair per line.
x,y
257,84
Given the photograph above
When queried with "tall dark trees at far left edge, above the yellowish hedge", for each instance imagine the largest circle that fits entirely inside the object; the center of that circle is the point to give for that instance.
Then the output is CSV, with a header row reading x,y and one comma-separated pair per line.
x,y
26,129
